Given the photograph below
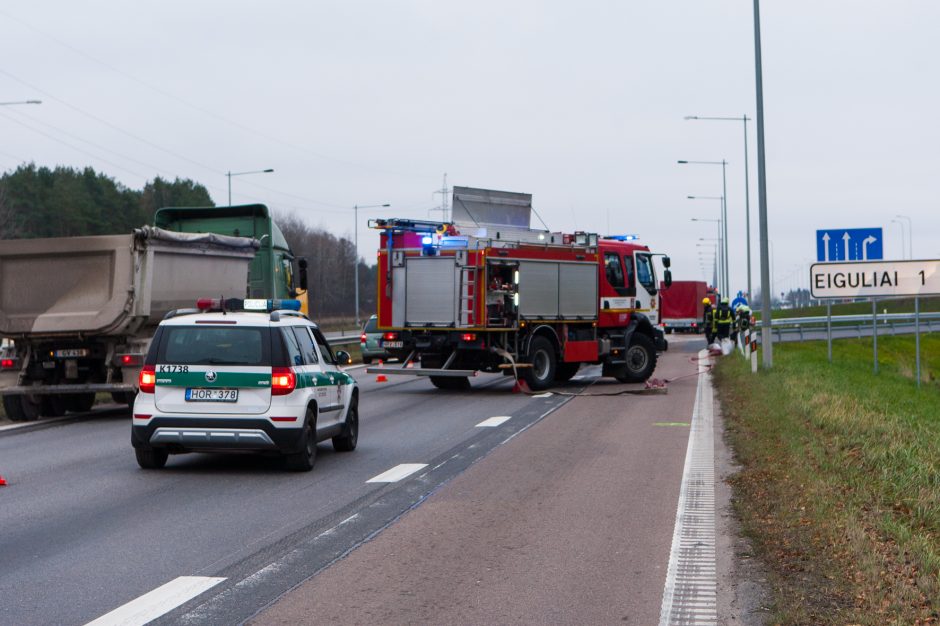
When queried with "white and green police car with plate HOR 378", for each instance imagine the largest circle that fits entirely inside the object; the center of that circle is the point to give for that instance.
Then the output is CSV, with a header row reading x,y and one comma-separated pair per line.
x,y
252,375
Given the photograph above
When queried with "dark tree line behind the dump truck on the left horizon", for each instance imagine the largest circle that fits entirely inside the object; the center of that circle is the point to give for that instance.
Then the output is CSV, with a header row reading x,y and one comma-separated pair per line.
x,y
67,202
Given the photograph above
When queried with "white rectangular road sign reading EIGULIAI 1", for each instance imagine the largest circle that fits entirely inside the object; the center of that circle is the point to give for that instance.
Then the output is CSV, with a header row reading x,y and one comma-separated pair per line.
x,y
875,279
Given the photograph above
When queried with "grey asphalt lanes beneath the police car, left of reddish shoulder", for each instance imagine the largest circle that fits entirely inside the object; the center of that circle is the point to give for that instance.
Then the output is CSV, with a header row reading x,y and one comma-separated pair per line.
x,y
83,530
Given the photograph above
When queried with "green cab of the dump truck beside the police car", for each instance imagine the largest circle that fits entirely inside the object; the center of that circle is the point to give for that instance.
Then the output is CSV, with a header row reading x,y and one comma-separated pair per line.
x,y
271,273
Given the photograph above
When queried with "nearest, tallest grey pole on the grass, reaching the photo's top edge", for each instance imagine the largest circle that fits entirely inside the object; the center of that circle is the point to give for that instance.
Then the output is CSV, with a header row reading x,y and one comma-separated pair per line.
x,y
766,335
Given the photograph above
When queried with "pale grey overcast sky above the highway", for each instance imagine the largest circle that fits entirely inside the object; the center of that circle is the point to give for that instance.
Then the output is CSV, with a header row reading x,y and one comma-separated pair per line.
x,y
579,103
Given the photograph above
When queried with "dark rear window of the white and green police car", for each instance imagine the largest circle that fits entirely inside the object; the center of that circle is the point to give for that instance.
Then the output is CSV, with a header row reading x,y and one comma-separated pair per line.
x,y
200,345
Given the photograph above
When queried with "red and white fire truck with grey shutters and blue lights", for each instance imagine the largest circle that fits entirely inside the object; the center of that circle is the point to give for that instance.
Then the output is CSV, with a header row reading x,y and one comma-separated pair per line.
x,y
485,292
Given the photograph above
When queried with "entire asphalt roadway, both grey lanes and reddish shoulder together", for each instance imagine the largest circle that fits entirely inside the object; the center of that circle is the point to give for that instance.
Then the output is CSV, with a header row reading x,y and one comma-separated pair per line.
x,y
578,508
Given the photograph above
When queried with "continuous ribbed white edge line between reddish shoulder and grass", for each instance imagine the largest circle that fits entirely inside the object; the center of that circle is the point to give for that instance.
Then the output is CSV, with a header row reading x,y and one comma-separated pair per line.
x,y
691,591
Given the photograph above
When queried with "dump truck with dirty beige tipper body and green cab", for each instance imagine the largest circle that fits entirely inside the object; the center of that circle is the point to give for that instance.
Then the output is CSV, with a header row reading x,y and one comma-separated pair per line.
x,y
81,311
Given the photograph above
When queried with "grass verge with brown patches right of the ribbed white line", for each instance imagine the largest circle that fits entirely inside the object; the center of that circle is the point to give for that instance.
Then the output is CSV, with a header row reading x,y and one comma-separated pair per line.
x,y
840,482
